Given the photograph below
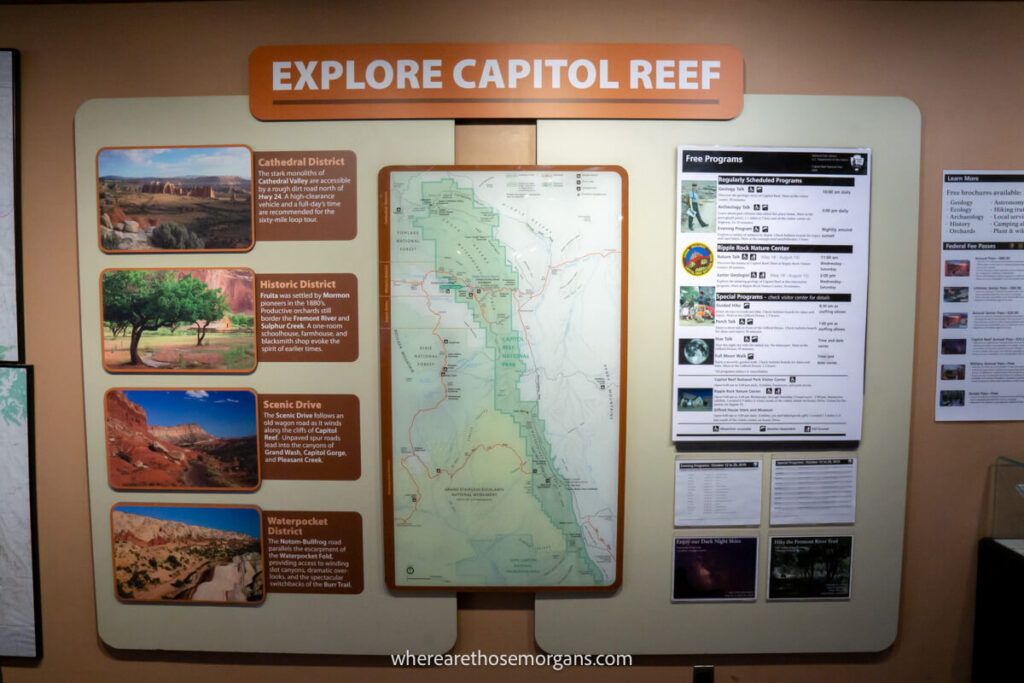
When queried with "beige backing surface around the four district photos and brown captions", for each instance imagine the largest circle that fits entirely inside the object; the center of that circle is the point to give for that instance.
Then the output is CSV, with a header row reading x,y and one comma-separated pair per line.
x,y
371,622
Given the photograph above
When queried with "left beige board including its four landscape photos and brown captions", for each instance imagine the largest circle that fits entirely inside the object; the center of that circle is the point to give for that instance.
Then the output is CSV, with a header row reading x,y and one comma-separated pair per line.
x,y
229,302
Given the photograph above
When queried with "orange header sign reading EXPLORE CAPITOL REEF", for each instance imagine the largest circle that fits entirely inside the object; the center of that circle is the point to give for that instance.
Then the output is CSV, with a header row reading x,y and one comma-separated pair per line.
x,y
496,80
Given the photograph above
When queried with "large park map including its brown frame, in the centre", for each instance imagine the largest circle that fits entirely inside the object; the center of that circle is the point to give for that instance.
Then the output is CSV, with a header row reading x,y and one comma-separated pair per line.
x,y
502,311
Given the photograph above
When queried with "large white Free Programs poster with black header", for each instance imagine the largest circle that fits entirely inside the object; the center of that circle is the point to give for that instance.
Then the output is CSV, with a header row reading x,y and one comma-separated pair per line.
x,y
772,293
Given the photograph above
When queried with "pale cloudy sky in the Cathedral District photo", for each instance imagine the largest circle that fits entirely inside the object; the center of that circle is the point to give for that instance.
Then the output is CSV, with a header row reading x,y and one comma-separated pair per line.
x,y
176,162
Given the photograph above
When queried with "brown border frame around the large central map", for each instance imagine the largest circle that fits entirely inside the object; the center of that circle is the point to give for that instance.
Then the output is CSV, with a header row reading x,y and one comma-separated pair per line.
x,y
385,297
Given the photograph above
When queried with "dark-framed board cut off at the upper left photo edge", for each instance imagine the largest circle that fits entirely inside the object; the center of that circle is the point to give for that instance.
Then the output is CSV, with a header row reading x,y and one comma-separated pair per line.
x,y
11,335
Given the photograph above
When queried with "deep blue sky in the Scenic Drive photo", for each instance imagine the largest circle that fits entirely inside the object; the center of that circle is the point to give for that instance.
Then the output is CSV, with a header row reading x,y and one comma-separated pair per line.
x,y
227,414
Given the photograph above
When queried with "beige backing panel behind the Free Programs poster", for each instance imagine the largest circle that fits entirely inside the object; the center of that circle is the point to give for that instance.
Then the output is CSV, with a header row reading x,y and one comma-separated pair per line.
x,y
868,622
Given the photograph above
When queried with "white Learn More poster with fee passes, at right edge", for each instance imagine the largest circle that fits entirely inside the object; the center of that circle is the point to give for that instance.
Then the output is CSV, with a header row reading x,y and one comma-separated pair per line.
x,y
980,368
